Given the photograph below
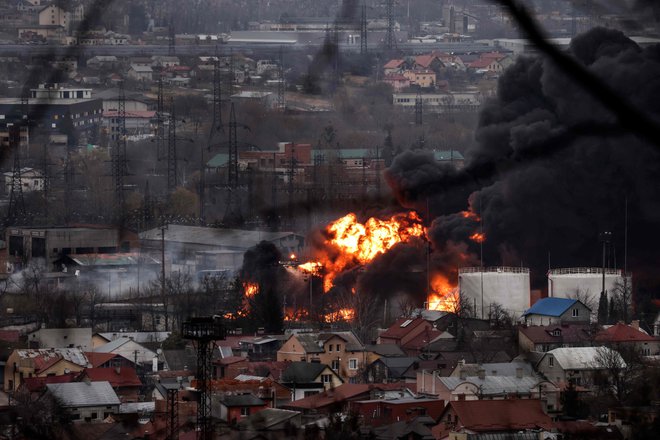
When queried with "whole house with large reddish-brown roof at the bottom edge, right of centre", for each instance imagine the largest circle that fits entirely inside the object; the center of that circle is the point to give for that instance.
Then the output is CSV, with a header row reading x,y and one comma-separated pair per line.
x,y
492,417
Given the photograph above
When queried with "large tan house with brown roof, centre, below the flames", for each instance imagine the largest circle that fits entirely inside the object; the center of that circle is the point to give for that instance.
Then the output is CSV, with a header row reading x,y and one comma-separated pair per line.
x,y
342,351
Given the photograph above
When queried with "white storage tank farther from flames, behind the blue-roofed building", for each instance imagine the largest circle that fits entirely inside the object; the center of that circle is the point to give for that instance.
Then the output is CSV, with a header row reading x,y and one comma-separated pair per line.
x,y
584,282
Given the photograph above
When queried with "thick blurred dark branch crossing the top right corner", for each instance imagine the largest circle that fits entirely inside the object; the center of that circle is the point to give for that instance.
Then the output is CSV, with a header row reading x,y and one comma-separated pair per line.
x,y
629,116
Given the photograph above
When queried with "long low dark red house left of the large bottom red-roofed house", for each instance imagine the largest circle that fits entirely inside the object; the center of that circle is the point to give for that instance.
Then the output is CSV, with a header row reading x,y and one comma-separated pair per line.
x,y
379,412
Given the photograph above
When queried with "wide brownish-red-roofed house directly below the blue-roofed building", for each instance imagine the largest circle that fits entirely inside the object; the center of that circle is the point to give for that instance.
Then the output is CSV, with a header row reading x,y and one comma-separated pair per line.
x,y
544,338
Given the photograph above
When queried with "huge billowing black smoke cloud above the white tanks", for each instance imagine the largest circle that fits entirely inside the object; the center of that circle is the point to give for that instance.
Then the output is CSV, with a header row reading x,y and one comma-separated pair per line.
x,y
544,184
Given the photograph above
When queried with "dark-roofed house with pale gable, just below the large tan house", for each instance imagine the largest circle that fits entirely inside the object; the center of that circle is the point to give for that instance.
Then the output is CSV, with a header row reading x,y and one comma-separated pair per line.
x,y
308,378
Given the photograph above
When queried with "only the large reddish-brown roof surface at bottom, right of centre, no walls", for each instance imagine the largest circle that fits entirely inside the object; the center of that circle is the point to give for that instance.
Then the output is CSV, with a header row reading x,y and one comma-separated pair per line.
x,y
501,415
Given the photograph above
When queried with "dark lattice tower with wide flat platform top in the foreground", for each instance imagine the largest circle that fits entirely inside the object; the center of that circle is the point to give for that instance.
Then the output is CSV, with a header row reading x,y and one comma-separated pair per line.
x,y
204,331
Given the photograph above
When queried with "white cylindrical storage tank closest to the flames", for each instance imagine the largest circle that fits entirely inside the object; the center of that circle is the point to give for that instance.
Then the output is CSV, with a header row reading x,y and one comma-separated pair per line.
x,y
506,286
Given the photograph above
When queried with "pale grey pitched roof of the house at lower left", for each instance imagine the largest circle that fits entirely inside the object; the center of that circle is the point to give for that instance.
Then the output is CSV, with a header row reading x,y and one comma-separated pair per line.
x,y
77,394
